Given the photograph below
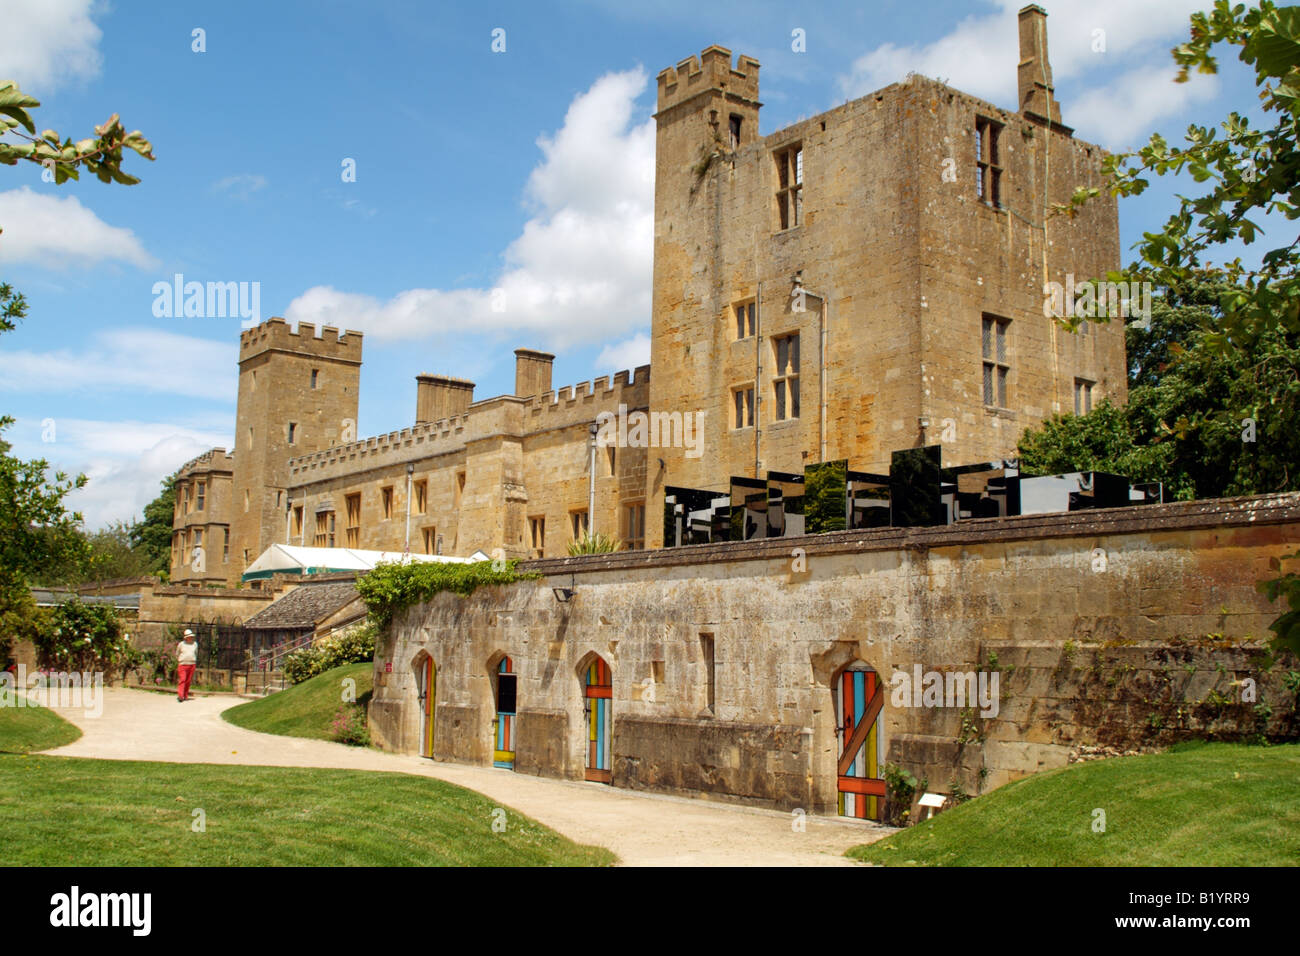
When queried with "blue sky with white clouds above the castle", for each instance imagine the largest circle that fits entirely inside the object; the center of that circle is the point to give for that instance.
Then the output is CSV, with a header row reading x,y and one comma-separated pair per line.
x,y
526,172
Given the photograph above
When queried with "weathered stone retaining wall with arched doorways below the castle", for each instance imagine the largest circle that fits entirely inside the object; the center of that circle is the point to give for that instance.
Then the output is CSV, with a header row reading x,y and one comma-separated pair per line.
x,y
1176,589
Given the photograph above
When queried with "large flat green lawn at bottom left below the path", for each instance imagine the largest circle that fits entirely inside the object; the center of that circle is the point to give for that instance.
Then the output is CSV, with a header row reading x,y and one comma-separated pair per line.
x,y
73,812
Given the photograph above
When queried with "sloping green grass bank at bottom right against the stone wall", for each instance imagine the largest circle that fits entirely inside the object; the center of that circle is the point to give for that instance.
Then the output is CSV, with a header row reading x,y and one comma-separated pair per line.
x,y
1199,806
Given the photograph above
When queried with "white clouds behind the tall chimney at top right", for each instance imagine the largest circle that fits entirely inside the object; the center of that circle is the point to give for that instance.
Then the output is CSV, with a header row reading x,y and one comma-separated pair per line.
x,y
981,54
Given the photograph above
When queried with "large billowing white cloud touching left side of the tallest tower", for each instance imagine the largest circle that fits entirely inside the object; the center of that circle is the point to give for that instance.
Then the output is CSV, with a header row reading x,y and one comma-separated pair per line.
x,y
580,270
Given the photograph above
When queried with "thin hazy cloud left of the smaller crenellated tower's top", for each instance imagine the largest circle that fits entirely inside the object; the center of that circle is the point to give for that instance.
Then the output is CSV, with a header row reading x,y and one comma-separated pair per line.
x,y
138,360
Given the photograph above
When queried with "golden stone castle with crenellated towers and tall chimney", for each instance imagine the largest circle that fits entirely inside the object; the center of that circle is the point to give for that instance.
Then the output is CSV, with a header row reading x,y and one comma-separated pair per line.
x,y
860,283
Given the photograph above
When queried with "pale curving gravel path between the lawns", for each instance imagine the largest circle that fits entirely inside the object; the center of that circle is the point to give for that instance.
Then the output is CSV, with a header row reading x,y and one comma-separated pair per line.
x,y
642,829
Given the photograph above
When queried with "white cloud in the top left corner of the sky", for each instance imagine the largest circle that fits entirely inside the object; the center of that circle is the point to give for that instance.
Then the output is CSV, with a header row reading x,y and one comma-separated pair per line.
x,y
47,42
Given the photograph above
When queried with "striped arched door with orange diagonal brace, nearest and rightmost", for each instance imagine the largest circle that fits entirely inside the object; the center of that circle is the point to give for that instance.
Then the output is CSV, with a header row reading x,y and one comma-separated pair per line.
x,y
860,700
